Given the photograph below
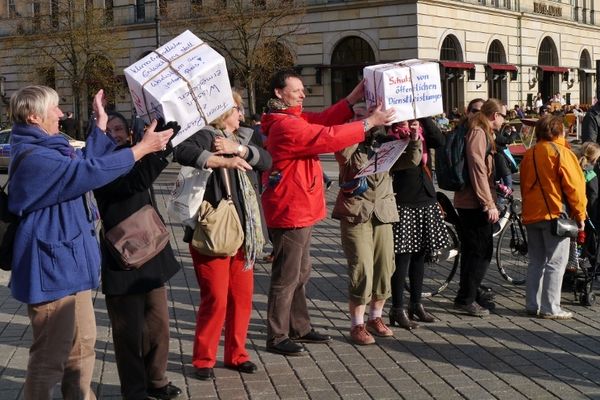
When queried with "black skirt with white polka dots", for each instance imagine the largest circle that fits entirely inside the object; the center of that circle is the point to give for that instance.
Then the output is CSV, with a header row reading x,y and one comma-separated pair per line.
x,y
420,228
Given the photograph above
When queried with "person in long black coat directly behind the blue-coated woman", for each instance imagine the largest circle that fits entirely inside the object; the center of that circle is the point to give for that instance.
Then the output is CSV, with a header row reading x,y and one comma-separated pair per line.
x,y
136,299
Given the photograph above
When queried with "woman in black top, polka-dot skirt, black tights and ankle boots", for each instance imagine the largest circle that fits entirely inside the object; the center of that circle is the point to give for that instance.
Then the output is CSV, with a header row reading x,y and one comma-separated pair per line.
x,y
421,229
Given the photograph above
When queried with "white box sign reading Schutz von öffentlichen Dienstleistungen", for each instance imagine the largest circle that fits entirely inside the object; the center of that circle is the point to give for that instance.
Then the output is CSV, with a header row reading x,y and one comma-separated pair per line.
x,y
411,87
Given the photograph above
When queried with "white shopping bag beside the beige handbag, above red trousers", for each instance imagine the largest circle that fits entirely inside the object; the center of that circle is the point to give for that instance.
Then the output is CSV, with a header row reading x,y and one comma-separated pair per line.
x,y
187,195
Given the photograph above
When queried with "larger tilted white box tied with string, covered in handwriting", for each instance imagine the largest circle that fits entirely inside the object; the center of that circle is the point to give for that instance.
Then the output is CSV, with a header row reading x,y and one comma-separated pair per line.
x,y
185,81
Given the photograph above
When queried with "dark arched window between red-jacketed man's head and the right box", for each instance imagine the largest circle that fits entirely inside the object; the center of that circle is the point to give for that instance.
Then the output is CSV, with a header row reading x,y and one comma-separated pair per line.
x,y
349,58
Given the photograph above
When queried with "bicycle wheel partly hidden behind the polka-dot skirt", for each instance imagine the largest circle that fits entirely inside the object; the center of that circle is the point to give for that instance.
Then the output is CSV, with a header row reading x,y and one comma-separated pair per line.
x,y
441,266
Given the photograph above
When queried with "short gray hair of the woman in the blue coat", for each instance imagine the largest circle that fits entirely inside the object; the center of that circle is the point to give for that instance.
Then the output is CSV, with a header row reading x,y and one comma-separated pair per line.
x,y
31,100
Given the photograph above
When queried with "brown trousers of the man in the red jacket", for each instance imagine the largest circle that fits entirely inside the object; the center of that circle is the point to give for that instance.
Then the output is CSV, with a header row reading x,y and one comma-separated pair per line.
x,y
287,314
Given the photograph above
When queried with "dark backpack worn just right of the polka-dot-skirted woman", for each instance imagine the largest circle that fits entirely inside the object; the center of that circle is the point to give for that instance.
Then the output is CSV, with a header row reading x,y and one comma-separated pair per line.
x,y
450,162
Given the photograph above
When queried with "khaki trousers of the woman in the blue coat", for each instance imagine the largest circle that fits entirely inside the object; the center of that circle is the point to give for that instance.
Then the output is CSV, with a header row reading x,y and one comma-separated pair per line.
x,y
64,335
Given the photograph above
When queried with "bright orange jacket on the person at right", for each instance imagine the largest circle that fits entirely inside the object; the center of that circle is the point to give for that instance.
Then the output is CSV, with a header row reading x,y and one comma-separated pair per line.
x,y
561,178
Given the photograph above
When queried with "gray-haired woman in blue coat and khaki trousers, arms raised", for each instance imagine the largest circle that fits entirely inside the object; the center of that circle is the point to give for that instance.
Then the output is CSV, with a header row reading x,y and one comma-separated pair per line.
x,y
56,259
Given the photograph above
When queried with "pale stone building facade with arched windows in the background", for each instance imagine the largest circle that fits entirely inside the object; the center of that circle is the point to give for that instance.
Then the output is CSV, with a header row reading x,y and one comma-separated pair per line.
x,y
509,49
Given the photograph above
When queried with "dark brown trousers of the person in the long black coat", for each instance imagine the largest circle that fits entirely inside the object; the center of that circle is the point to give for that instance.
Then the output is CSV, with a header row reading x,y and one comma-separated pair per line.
x,y
140,324
